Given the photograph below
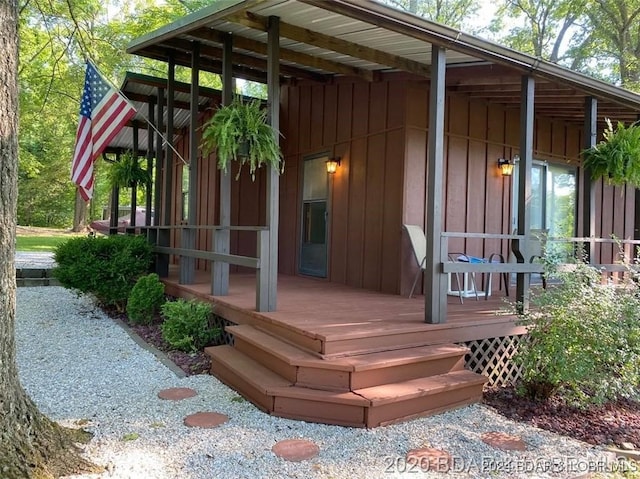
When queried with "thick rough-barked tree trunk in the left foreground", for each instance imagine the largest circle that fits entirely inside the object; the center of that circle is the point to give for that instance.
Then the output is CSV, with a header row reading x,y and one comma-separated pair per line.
x,y
30,444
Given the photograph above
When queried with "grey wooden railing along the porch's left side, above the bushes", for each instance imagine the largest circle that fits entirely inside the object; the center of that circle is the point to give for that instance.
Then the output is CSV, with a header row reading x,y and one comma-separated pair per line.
x,y
259,262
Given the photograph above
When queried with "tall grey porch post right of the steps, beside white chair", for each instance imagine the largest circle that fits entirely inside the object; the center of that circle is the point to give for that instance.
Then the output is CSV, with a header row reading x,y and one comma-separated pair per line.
x,y
435,280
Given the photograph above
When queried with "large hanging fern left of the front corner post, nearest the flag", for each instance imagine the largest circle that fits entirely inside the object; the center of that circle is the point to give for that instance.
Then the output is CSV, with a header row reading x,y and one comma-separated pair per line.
x,y
240,132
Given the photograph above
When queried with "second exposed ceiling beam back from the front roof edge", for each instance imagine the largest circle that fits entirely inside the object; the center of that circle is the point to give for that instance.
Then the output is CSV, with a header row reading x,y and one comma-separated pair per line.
x,y
244,43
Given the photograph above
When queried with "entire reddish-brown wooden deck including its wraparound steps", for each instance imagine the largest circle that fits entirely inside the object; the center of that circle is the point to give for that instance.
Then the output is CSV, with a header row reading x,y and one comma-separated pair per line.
x,y
346,356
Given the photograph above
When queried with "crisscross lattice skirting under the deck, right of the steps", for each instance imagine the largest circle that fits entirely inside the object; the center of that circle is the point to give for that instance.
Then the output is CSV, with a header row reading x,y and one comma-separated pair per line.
x,y
493,357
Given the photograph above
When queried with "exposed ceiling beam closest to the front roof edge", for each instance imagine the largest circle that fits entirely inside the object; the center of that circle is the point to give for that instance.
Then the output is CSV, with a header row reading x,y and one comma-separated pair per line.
x,y
328,42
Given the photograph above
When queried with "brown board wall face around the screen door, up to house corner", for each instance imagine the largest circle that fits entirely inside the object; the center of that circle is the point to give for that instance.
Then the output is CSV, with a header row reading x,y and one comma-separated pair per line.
x,y
363,124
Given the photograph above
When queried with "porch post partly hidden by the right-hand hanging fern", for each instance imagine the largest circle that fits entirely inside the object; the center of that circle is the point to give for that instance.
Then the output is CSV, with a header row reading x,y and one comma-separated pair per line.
x,y
588,188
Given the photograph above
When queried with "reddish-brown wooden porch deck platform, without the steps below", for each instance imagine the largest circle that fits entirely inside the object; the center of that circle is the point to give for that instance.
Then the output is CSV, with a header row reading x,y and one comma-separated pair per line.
x,y
333,320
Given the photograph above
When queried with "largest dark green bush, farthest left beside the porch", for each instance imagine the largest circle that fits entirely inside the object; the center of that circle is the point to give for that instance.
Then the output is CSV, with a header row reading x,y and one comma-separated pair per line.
x,y
107,267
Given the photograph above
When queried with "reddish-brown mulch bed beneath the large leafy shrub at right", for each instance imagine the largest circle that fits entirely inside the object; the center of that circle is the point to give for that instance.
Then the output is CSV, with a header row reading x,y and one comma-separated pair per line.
x,y
607,425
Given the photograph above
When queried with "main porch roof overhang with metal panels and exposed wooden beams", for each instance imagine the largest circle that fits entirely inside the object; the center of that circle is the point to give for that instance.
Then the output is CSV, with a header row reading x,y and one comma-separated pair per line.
x,y
322,39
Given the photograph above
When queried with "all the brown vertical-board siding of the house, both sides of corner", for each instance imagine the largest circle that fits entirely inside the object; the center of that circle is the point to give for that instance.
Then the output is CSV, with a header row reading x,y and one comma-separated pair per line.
x,y
379,130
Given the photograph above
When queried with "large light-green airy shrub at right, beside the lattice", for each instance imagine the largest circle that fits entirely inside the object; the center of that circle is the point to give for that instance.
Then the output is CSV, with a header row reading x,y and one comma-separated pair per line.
x,y
583,344
